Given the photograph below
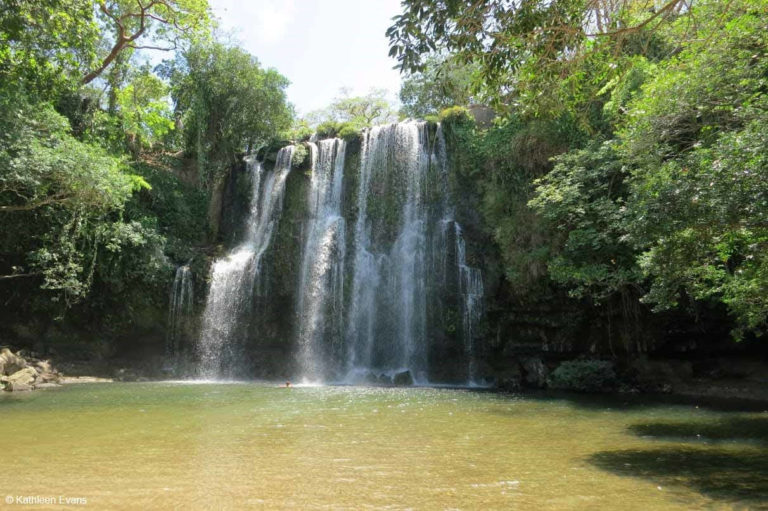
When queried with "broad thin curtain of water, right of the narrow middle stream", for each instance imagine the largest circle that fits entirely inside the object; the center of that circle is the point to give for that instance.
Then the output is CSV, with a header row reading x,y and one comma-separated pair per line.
x,y
386,325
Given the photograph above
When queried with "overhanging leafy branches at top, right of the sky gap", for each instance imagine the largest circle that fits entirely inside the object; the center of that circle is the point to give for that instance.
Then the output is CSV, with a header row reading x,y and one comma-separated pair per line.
x,y
529,45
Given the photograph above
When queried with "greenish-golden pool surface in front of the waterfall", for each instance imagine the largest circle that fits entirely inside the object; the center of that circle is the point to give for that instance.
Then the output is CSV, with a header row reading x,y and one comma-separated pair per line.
x,y
235,446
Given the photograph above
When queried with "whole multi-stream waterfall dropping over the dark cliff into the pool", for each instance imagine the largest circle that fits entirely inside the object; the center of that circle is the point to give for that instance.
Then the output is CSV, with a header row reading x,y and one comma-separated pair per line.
x,y
370,263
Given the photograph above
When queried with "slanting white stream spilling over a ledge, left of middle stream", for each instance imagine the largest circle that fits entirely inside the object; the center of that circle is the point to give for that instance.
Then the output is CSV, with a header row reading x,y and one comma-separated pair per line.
x,y
230,296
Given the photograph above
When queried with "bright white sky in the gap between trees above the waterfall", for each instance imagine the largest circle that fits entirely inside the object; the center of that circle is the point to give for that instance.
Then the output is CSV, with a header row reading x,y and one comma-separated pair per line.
x,y
319,45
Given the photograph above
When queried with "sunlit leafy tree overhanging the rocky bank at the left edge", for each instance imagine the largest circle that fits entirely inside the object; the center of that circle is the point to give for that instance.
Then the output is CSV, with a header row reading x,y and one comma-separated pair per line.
x,y
61,198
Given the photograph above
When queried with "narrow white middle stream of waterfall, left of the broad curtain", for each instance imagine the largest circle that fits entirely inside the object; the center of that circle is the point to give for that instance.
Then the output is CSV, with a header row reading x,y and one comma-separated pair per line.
x,y
321,284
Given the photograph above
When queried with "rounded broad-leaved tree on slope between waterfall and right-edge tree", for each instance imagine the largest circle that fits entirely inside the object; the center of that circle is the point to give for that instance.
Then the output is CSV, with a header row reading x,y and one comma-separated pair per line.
x,y
582,201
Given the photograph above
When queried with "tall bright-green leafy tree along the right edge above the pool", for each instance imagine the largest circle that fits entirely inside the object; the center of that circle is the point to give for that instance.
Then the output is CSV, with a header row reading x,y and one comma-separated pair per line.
x,y
698,202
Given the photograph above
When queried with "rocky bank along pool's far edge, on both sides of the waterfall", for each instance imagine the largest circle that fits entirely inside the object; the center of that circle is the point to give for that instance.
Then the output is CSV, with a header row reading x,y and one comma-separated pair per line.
x,y
716,379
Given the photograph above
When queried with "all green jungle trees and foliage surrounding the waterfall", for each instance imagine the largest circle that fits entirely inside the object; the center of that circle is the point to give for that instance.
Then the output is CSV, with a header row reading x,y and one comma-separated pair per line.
x,y
626,168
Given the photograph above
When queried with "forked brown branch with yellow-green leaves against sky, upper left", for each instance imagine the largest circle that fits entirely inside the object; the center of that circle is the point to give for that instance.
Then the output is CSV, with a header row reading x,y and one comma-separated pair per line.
x,y
149,24
